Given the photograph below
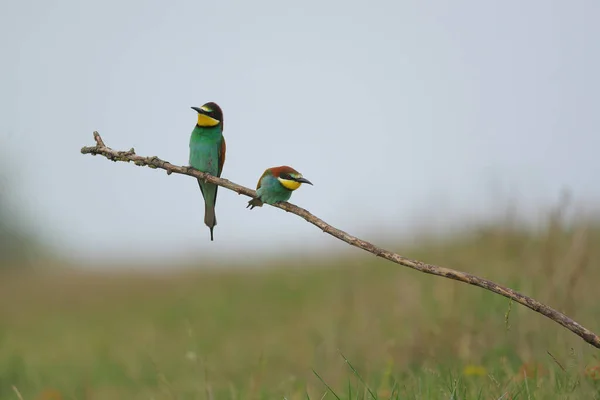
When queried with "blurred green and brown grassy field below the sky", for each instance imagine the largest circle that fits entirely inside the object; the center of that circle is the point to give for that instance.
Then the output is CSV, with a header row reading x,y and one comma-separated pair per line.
x,y
352,327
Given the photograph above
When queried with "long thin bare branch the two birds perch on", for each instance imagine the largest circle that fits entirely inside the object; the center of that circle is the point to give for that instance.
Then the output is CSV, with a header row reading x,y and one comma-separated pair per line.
x,y
155,162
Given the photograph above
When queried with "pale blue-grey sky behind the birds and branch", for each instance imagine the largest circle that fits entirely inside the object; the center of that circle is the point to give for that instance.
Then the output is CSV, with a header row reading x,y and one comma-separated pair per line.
x,y
401,113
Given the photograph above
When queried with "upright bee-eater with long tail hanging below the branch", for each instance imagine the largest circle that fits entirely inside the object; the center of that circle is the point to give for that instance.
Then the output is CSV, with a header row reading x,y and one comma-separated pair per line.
x,y
207,154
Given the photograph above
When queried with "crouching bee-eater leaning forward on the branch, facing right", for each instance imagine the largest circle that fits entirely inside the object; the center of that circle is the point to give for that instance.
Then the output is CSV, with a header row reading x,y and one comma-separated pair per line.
x,y
276,185
